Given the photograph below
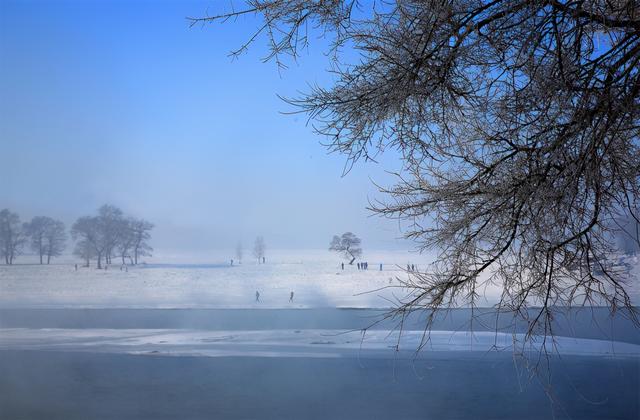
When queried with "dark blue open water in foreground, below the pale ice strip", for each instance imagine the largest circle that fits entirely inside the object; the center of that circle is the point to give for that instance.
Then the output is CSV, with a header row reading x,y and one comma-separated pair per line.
x,y
63,385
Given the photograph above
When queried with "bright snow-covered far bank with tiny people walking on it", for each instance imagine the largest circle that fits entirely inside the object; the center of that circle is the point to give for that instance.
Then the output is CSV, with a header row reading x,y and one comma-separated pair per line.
x,y
315,277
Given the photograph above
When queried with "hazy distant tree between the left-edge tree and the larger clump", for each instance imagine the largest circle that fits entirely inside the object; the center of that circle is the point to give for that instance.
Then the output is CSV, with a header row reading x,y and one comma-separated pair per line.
x,y
47,236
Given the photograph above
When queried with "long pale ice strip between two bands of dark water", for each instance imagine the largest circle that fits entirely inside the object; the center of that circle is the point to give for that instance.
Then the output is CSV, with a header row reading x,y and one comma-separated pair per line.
x,y
294,343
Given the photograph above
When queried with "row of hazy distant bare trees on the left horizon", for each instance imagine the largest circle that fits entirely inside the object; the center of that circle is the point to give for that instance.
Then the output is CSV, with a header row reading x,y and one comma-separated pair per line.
x,y
105,236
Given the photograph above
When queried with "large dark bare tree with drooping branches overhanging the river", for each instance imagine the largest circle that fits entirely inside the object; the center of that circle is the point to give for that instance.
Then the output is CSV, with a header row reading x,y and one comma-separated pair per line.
x,y
518,126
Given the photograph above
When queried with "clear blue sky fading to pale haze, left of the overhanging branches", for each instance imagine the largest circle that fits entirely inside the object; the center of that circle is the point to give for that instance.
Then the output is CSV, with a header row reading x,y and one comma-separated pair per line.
x,y
122,102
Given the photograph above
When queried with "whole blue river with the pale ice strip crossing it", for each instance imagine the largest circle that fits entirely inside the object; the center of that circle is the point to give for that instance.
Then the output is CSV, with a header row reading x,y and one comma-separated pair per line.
x,y
296,363
